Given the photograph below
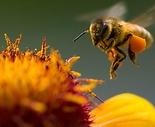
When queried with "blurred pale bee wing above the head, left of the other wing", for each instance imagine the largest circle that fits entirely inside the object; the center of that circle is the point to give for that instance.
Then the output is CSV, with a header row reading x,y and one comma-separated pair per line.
x,y
117,10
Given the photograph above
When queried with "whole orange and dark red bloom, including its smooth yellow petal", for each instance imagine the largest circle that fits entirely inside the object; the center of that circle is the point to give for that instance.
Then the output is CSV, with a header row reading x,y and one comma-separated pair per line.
x,y
41,90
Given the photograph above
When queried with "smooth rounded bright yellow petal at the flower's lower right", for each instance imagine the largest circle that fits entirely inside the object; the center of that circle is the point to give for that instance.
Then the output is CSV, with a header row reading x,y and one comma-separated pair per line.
x,y
124,110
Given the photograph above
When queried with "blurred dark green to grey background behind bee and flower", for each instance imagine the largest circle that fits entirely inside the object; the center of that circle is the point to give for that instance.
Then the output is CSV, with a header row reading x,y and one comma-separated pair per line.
x,y
57,19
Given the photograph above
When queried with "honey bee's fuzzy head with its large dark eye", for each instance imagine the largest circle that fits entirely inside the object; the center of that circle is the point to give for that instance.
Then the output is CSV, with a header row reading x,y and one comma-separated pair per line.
x,y
98,28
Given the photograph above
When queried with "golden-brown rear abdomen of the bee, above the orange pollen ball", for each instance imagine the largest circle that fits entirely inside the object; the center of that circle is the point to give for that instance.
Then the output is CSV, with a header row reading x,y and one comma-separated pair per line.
x,y
141,32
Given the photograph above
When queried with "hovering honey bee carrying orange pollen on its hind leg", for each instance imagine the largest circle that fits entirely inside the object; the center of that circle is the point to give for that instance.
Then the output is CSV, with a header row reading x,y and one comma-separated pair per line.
x,y
112,35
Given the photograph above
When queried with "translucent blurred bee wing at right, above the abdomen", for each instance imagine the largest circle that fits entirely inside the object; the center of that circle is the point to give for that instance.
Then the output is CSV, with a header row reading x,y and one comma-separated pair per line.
x,y
146,19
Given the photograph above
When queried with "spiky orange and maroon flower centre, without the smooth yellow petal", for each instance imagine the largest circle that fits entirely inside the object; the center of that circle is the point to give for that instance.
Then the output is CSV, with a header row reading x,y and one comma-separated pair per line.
x,y
39,90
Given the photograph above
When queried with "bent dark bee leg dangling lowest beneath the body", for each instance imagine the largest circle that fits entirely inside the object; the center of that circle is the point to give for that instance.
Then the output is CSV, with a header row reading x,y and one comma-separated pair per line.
x,y
115,64
